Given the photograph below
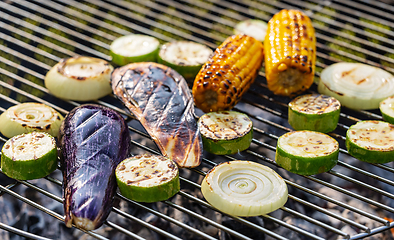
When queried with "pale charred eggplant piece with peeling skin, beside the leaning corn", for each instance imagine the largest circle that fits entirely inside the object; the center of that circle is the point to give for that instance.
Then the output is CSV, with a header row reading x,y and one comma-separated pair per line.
x,y
160,99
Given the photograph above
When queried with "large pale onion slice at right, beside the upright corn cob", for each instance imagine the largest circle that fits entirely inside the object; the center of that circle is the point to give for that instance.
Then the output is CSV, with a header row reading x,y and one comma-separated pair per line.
x,y
356,85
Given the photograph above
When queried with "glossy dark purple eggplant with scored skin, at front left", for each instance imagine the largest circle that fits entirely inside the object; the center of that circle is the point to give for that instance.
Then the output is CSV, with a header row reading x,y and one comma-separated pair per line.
x,y
93,140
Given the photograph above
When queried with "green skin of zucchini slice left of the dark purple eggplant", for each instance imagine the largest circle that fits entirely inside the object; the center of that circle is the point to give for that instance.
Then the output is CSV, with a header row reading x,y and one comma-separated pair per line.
x,y
29,169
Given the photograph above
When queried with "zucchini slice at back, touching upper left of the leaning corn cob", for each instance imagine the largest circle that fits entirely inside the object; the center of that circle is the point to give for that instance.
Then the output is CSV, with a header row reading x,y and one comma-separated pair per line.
x,y
185,57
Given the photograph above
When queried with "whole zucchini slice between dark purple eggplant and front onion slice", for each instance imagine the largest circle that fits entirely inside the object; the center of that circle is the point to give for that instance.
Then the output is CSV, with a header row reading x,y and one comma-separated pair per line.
x,y
148,178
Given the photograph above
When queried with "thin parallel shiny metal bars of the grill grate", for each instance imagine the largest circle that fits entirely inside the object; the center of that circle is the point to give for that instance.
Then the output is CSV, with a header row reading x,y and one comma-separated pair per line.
x,y
219,17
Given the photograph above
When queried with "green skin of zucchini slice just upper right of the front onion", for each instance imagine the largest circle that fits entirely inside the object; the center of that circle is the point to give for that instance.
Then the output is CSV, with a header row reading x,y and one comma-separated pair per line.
x,y
304,165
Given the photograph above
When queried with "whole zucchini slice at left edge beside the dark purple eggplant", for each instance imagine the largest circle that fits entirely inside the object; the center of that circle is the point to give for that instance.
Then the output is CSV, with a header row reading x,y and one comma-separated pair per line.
x,y
29,156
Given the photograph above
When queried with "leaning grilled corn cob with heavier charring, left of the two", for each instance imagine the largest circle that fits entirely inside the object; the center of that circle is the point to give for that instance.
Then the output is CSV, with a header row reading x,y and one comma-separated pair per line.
x,y
228,73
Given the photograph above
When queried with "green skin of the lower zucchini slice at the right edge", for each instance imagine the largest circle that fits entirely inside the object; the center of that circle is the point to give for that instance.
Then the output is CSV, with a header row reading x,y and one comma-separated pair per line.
x,y
368,154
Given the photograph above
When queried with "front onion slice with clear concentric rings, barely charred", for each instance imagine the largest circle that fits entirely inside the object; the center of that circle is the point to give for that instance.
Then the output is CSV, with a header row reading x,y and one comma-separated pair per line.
x,y
244,188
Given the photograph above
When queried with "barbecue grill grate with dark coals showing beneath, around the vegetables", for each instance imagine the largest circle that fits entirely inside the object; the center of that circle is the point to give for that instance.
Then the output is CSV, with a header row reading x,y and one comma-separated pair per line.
x,y
352,201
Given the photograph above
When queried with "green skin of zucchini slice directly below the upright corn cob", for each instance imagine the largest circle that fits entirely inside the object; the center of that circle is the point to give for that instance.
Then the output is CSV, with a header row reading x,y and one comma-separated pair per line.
x,y
321,121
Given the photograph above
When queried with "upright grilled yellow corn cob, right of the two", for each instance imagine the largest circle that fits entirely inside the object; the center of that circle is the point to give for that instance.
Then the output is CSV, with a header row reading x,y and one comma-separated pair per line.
x,y
290,53
